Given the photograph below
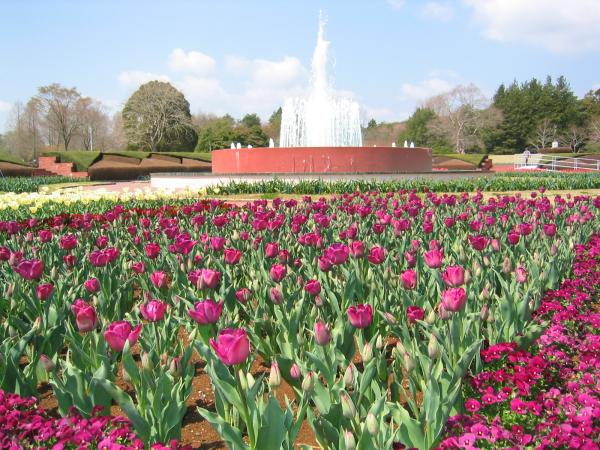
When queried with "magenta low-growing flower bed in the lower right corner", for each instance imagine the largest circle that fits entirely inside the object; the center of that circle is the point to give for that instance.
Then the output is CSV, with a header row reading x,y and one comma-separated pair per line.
x,y
546,396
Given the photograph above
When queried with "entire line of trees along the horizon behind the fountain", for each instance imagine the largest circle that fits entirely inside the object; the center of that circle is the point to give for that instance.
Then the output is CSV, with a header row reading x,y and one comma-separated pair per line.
x,y
157,117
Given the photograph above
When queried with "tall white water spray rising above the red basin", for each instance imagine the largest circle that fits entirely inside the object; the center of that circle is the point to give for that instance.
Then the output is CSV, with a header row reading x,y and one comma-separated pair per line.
x,y
321,119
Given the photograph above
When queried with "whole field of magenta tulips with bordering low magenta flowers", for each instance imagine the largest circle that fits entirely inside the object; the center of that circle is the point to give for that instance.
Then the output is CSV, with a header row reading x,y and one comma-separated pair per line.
x,y
365,320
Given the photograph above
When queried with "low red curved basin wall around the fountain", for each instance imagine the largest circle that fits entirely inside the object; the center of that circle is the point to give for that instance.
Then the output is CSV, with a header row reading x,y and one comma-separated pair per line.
x,y
322,160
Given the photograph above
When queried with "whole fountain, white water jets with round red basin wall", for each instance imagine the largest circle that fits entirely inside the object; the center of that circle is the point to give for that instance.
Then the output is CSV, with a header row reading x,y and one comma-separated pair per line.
x,y
321,134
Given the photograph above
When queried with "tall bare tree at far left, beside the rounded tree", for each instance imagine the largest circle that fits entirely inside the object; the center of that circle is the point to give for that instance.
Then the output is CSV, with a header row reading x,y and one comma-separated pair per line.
x,y
60,107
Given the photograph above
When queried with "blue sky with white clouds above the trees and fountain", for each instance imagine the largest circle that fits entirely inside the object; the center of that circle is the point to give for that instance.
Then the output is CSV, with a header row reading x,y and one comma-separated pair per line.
x,y
238,57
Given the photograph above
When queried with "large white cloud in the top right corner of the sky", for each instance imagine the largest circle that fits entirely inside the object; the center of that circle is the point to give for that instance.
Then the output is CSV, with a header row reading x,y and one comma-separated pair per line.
x,y
560,26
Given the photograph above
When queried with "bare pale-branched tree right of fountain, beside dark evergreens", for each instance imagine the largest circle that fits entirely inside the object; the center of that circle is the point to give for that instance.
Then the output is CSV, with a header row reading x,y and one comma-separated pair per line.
x,y
461,115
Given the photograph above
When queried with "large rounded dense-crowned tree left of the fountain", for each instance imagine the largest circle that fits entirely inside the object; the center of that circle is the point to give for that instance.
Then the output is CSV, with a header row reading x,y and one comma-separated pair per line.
x,y
157,116
